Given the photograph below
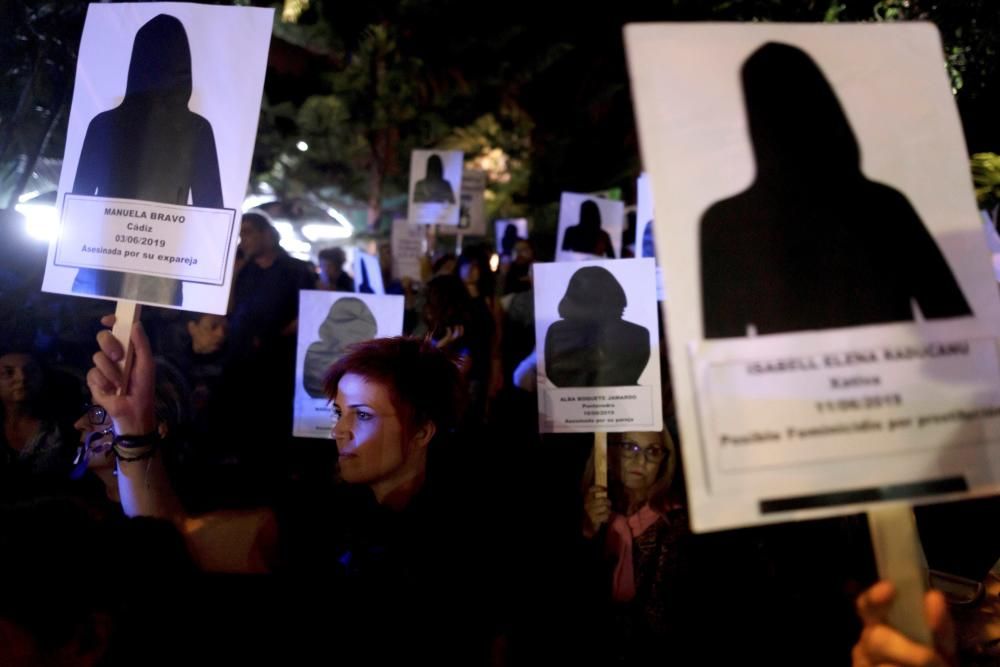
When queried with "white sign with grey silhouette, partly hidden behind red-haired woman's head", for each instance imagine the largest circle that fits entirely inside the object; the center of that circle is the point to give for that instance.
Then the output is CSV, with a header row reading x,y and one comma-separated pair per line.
x,y
329,323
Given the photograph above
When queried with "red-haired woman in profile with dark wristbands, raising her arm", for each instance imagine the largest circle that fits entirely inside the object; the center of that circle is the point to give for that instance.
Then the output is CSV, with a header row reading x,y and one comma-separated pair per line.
x,y
382,543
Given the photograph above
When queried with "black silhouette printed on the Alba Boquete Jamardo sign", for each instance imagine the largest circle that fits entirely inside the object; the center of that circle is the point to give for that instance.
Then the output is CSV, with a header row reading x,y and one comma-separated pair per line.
x,y
592,346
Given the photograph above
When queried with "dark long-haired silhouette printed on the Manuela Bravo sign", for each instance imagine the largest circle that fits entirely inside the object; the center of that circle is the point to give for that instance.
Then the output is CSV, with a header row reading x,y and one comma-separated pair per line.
x,y
150,147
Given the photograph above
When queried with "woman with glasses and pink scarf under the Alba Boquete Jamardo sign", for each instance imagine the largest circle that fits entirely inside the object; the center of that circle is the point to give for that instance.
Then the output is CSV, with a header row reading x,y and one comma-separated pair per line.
x,y
638,523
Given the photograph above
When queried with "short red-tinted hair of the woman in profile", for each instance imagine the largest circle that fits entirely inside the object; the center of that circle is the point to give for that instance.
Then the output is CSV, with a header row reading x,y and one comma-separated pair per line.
x,y
424,383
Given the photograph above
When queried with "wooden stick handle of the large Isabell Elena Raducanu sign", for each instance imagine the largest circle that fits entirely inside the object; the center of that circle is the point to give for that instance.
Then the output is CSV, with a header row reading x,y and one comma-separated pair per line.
x,y
900,560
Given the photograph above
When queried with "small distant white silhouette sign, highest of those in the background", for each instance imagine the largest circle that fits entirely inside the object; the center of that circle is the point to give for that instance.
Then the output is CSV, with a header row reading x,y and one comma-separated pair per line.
x,y
435,187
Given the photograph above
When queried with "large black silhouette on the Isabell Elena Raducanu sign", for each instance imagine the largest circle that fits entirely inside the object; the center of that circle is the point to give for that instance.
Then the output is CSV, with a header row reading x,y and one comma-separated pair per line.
x,y
812,243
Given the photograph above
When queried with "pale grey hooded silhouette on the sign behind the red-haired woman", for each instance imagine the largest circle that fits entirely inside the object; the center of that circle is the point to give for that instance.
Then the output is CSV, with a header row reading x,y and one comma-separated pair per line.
x,y
349,321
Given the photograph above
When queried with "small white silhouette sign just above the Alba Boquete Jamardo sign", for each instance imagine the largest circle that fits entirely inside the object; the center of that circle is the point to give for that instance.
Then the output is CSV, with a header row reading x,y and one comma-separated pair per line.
x,y
589,227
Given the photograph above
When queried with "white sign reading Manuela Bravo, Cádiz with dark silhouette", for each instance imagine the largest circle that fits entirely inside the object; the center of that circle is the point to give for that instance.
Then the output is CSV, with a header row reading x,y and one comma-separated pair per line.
x,y
158,149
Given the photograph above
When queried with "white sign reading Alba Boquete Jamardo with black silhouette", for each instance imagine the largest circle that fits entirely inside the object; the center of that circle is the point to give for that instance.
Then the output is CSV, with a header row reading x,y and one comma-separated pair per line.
x,y
598,346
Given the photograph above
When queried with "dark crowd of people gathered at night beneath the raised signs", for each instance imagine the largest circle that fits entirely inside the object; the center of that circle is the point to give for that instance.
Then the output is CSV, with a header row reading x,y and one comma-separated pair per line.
x,y
167,513
